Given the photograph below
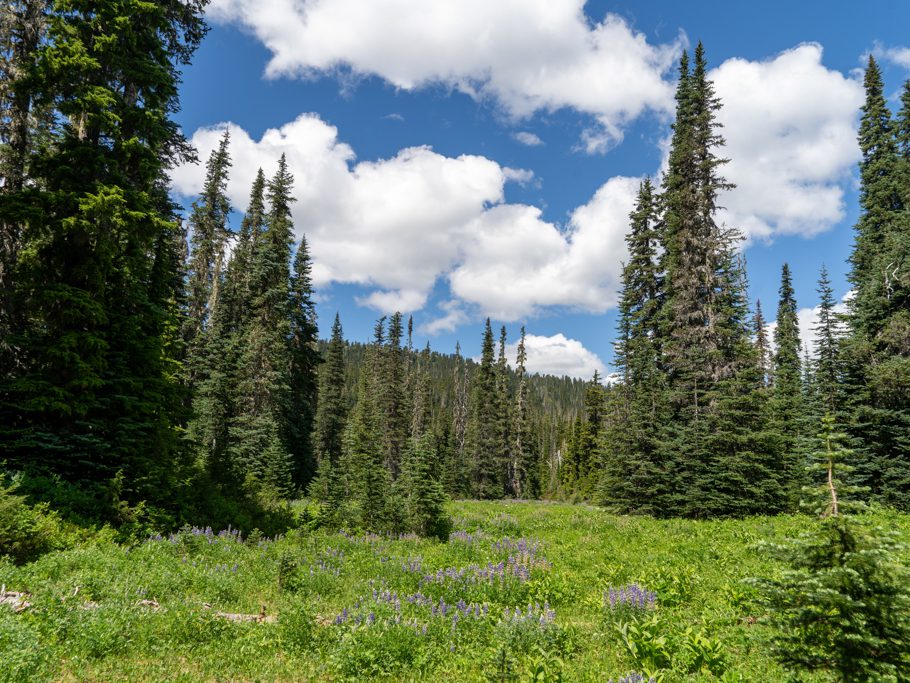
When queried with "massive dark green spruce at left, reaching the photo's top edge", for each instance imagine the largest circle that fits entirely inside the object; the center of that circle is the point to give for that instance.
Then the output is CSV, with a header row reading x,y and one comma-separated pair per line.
x,y
94,392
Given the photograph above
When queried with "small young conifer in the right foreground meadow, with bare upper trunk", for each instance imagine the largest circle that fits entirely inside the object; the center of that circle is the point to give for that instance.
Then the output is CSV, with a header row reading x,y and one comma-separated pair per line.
x,y
842,605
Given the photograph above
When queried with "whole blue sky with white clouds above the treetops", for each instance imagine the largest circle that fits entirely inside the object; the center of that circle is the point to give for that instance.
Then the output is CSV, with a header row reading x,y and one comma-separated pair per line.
x,y
463,158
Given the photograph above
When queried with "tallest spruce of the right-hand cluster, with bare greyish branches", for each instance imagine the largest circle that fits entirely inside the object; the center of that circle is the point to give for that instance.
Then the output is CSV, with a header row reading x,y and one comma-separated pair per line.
x,y
703,319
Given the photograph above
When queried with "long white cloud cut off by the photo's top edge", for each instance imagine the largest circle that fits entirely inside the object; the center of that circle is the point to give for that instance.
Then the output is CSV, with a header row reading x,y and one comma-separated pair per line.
x,y
527,55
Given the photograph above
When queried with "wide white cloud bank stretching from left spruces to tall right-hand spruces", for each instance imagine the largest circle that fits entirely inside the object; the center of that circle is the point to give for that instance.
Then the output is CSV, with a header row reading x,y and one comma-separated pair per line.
x,y
396,226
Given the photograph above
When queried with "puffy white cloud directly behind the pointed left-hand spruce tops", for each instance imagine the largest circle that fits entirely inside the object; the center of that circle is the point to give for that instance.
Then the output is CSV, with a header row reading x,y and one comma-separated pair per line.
x,y
394,224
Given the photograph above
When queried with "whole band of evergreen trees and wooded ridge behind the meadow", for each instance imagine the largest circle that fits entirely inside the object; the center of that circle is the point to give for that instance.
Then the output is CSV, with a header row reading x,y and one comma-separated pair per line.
x,y
156,368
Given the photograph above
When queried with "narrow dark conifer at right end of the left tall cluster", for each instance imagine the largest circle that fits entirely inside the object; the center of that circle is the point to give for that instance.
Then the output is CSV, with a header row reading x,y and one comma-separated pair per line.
x,y
304,361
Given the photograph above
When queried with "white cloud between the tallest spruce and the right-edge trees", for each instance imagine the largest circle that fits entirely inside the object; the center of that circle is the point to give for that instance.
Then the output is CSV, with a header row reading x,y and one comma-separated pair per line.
x,y
790,126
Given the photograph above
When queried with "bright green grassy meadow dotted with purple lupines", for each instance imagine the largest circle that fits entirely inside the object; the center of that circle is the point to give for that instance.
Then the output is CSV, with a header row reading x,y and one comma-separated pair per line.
x,y
520,592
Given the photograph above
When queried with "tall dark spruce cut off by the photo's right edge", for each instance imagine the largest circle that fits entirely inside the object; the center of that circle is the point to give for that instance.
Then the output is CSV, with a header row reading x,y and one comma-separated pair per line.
x,y
876,352
